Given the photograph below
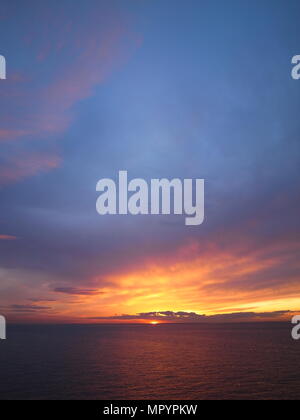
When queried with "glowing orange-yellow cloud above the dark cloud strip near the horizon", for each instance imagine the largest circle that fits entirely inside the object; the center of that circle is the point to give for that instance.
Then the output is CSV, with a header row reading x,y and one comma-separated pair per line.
x,y
210,283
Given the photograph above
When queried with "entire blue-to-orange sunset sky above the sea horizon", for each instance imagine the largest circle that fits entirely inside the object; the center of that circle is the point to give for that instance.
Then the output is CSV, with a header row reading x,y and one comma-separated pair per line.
x,y
181,89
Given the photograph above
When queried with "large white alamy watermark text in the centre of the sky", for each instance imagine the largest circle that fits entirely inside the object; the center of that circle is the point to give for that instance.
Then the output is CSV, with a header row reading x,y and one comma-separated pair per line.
x,y
162,196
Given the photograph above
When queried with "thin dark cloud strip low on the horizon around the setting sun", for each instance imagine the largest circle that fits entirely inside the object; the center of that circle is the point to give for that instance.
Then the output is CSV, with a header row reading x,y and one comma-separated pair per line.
x,y
186,317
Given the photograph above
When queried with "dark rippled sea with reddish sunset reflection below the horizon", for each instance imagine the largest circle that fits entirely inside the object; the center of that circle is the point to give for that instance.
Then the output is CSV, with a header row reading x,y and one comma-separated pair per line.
x,y
186,361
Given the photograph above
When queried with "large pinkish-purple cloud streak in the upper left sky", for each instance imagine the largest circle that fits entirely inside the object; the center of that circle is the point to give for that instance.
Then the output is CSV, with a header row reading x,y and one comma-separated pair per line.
x,y
68,60
